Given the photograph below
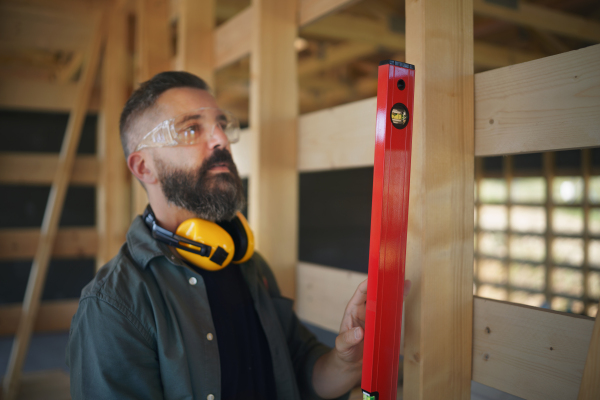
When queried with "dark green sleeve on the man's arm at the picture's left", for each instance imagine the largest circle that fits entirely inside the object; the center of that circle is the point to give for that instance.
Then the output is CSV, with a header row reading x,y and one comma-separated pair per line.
x,y
110,354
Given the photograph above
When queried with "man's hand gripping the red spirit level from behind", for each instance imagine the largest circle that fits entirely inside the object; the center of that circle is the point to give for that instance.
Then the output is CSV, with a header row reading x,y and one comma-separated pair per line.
x,y
339,370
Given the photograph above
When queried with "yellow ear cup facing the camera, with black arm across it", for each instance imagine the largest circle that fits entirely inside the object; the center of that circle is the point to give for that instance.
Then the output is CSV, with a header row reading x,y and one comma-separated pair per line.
x,y
207,233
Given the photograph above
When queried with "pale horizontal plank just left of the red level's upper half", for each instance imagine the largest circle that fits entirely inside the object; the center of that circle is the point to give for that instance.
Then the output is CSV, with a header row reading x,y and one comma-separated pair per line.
x,y
339,137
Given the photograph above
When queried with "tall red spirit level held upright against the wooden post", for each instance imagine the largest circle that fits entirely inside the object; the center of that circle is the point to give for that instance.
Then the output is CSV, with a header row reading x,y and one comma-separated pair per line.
x,y
389,220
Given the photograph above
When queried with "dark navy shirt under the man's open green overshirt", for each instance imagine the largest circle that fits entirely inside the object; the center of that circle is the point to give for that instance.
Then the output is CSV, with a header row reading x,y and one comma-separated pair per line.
x,y
246,367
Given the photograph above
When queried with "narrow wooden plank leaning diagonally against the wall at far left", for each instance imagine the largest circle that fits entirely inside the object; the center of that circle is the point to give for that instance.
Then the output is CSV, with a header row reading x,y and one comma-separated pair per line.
x,y
52,214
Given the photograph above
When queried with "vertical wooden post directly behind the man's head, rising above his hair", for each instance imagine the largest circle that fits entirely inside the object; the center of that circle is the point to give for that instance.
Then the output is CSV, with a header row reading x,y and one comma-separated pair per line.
x,y
153,36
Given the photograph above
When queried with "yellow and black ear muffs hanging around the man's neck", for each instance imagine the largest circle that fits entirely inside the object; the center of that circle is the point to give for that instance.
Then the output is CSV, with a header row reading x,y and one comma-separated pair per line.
x,y
206,244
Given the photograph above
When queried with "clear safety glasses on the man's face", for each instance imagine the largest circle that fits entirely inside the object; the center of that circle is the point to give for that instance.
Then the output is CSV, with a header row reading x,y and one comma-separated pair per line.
x,y
193,127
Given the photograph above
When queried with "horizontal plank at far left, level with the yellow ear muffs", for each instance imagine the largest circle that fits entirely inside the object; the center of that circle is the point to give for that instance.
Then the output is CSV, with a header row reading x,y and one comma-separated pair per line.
x,y
21,243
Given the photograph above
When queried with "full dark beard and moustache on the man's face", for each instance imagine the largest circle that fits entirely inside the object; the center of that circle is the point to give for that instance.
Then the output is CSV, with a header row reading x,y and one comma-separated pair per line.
x,y
213,197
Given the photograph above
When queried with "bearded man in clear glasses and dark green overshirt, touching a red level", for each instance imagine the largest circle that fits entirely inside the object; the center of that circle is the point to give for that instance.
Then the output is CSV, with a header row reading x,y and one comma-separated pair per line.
x,y
152,325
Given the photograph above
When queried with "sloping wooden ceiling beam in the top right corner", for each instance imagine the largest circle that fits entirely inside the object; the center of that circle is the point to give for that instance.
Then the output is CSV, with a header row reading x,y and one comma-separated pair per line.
x,y
540,17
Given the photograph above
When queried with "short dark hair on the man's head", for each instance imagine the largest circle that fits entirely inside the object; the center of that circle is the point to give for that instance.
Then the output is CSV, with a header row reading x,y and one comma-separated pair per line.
x,y
146,95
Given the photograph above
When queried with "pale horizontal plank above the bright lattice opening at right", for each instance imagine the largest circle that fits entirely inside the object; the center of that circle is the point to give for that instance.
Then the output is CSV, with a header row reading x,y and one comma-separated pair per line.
x,y
542,105
